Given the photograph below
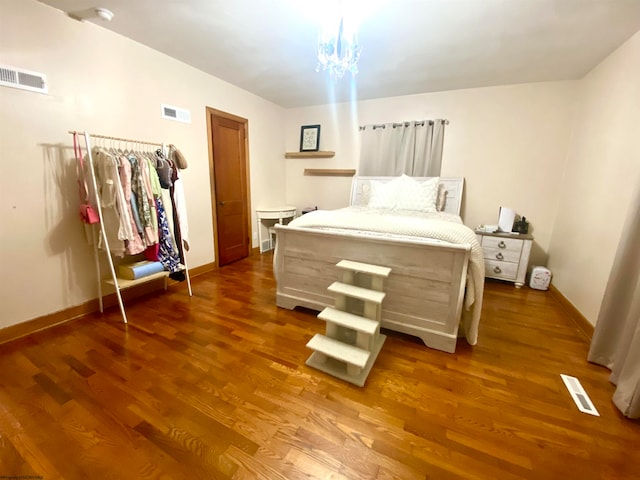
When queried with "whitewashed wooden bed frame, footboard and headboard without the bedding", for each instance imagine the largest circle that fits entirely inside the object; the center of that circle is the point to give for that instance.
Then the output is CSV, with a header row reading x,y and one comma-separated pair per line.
x,y
426,287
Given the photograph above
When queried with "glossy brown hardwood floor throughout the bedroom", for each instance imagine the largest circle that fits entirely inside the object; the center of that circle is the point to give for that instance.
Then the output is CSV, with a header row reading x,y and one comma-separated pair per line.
x,y
215,387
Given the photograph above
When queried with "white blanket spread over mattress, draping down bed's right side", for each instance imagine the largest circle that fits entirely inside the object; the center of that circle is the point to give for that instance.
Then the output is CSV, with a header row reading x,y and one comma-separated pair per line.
x,y
439,226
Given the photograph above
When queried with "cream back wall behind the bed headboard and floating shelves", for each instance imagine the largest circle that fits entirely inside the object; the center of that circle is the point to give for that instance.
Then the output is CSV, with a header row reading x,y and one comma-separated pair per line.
x,y
508,142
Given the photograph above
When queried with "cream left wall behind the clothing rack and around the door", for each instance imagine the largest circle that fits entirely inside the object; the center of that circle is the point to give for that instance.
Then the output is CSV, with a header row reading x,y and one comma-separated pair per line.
x,y
106,84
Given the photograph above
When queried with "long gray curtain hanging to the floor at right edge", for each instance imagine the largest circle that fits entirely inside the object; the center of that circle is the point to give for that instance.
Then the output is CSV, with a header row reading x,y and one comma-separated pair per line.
x,y
616,340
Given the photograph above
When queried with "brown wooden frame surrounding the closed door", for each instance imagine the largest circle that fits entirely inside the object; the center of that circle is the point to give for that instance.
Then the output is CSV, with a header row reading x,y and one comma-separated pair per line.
x,y
210,113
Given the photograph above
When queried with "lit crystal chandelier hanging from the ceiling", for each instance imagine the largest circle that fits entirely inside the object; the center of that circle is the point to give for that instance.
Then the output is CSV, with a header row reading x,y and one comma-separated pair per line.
x,y
338,49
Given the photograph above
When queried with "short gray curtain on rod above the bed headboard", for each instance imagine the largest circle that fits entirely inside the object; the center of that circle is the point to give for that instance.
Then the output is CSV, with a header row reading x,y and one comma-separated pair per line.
x,y
412,148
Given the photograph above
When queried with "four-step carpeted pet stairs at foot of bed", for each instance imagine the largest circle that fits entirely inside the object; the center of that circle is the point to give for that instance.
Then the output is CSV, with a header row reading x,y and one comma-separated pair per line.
x,y
352,342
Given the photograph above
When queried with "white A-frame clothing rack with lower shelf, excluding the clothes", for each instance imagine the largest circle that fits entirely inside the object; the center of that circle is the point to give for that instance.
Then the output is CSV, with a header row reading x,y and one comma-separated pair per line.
x,y
116,282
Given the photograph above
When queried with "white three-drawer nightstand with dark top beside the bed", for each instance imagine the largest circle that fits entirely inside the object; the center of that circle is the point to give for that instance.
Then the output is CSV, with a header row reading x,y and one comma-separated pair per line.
x,y
506,256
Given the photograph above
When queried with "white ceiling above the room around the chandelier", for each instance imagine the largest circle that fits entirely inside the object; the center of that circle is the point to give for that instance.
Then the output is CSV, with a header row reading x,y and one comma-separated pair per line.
x,y
408,46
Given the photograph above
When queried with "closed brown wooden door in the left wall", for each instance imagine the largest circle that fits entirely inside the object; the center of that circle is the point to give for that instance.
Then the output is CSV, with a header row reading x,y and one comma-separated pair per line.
x,y
229,168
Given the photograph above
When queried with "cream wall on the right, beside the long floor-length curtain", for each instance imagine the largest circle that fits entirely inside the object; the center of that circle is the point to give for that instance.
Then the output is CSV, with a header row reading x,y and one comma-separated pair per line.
x,y
602,170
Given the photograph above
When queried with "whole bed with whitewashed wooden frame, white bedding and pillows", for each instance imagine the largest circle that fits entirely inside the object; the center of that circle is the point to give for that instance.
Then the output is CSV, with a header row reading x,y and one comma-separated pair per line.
x,y
436,284
